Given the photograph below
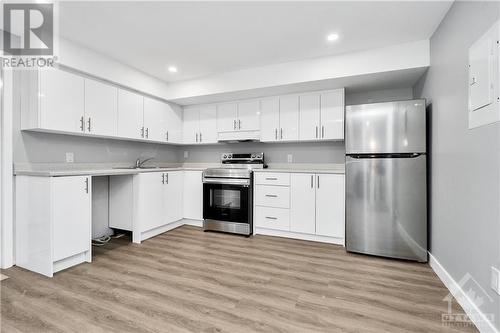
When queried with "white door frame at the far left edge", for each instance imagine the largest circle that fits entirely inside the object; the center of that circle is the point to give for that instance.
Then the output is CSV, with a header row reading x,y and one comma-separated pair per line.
x,y
6,170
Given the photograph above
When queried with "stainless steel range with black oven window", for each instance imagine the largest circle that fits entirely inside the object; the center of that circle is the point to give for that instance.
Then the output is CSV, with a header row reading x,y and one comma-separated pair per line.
x,y
228,195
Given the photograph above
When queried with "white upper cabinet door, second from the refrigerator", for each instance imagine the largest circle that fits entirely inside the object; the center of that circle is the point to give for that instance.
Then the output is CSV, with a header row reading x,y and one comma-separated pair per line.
x,y
309,117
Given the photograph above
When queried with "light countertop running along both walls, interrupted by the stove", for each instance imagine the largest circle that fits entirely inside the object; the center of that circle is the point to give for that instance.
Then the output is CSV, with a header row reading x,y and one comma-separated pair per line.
x,y
61,169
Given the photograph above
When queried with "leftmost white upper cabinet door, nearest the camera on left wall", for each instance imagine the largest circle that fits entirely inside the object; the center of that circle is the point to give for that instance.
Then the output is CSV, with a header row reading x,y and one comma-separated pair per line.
x,y
61,96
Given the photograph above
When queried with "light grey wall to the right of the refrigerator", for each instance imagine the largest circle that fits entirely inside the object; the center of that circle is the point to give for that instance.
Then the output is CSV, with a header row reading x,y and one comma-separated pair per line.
x,y
464,164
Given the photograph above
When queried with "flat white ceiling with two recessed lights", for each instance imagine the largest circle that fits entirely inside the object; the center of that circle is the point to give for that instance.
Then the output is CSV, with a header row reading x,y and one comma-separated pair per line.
x,y
203,38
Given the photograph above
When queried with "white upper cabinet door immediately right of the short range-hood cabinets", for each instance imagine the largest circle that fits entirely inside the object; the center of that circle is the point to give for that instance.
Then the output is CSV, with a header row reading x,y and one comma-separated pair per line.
x,y
269,119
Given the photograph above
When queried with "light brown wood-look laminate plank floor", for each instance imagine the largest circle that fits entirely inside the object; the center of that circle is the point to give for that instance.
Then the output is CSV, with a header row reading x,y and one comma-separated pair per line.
x,y
190,281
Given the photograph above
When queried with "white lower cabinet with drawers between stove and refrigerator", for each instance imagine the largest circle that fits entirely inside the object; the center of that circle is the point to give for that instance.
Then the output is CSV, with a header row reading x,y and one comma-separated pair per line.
x,y
311,207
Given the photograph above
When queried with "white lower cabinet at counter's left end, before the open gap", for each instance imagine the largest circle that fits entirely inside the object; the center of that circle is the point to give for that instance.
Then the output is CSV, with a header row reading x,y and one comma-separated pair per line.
x,y
47,240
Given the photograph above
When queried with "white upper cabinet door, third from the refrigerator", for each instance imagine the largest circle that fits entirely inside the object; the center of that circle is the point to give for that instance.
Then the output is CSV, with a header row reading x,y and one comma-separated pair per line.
x,y
289,118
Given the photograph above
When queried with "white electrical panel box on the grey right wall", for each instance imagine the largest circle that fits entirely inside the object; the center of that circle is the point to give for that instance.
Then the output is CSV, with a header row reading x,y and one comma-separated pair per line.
x,y
483,80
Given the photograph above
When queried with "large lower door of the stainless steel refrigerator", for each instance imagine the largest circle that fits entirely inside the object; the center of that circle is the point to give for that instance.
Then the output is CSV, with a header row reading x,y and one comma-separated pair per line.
x,y
386,208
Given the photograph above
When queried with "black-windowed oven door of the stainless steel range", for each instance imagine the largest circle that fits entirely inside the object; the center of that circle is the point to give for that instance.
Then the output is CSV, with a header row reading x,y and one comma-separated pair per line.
x,y
227,200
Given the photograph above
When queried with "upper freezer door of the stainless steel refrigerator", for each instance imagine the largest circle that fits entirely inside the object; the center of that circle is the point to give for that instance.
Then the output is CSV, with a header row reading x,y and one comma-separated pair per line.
x,y
395,127
